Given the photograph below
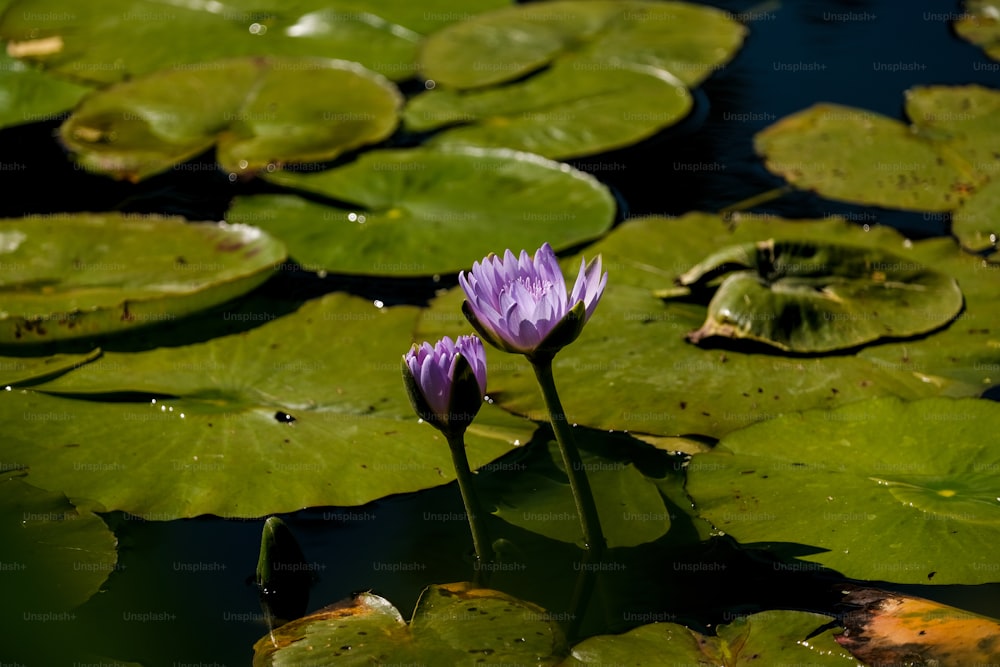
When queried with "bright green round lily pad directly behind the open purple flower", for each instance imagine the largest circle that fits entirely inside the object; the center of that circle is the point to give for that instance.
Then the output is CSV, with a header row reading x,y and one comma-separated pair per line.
x,y
423,212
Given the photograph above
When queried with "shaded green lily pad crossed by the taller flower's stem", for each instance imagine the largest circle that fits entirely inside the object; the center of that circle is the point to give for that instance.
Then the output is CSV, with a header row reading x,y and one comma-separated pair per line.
x,y
630,506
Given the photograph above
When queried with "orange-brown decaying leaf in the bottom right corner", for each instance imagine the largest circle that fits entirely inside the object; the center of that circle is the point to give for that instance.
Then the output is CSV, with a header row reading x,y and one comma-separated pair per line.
x,y
900,629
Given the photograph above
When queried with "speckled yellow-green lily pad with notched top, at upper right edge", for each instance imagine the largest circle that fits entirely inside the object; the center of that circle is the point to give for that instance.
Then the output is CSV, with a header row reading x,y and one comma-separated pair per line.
x,y
862,157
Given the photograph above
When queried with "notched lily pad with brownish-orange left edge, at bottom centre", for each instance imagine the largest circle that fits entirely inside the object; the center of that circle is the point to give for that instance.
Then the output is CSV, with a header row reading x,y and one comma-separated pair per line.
x,y
452,624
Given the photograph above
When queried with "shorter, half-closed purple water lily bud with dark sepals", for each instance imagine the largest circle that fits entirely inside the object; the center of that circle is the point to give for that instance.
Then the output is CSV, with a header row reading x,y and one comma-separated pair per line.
x,y
446,382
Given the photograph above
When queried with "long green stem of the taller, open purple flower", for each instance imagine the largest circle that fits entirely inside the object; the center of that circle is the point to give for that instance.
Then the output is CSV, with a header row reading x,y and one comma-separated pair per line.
x,y
590,523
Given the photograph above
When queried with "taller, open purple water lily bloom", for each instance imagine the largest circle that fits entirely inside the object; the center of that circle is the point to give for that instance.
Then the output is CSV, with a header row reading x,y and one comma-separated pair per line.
x,y
520,304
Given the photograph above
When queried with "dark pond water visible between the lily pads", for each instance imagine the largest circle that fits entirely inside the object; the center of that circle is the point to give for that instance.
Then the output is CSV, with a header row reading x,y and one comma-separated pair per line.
x,y
182,593
